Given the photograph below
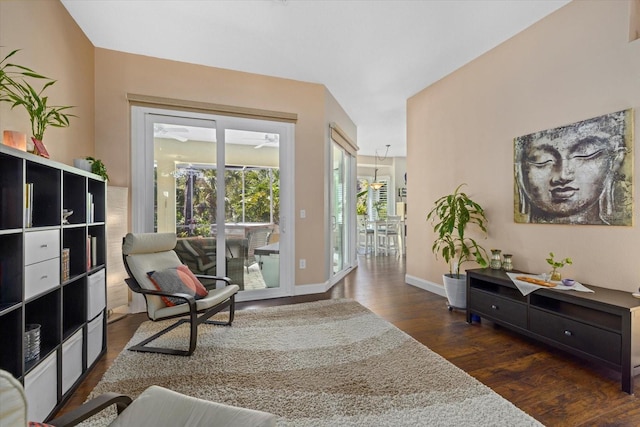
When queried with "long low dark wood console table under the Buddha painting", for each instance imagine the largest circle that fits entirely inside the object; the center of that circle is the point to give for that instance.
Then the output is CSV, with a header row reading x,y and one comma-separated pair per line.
x,y
603,327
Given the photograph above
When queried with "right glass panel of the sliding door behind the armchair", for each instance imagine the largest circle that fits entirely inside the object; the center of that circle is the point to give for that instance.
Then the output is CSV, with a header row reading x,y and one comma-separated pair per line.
x,y
252,206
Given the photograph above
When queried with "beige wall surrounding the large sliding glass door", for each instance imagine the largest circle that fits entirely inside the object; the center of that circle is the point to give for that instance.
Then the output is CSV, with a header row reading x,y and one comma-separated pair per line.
x,y
119,73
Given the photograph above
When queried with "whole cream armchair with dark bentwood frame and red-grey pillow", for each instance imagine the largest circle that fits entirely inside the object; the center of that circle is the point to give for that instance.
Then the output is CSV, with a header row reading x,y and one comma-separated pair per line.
x,y
171,290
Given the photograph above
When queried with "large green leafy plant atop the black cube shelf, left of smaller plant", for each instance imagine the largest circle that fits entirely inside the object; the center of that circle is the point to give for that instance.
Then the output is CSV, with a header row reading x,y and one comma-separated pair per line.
x,y
41,114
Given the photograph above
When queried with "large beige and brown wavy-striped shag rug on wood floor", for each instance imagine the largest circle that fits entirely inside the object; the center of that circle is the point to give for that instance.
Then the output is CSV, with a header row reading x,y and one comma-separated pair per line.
x,y
326,363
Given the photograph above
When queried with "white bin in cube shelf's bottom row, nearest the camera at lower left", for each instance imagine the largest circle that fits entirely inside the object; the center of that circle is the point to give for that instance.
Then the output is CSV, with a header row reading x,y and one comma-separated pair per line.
x,y
41,389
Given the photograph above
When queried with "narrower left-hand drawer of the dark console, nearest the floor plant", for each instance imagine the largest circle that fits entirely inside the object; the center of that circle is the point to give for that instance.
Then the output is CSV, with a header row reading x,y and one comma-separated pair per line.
x,y
497,308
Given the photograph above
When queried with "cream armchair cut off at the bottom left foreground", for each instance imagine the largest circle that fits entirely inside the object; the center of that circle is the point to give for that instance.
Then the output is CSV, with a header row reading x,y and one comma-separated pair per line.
x,y
155,406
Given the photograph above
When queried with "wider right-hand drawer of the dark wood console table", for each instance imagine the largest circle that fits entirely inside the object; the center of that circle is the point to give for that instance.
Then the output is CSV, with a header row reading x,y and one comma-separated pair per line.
x,y
598,342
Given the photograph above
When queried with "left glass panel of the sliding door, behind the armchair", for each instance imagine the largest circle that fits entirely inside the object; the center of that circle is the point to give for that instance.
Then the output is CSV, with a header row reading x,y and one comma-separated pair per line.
x,y
185,189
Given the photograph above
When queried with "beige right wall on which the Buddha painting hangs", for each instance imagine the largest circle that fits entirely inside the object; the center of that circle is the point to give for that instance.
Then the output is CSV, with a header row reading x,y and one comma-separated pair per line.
x,y
575,64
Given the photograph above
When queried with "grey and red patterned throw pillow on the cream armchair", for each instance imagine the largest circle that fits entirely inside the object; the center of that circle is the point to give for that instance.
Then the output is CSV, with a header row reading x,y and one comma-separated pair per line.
x,y
179,279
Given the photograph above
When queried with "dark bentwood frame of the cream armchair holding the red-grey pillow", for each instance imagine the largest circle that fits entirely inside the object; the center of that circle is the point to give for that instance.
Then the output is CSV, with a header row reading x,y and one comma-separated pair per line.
x,y
195,317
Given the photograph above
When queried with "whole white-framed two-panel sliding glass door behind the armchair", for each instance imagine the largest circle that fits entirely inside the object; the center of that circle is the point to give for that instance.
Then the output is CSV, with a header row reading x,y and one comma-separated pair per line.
x,y
217,183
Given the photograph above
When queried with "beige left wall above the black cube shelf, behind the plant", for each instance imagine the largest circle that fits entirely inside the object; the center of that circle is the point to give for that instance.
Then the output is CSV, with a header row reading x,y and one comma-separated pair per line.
x,y
52,44
